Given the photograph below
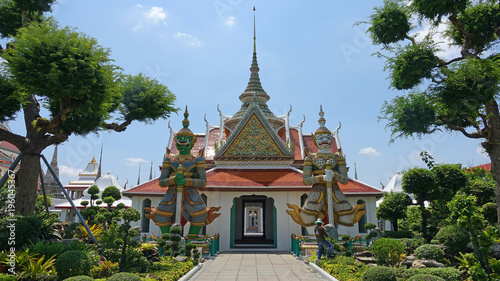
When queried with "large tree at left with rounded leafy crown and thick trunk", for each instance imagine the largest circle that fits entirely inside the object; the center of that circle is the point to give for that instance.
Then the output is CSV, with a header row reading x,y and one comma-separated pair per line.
x,y
73,77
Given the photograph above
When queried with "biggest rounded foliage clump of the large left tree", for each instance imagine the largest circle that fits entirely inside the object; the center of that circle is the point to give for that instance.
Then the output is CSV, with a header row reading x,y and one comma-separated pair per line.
x,y
68,68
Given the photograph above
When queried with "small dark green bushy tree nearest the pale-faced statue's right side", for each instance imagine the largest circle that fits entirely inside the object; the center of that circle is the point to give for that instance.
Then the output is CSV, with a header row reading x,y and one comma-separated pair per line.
x,y
393,207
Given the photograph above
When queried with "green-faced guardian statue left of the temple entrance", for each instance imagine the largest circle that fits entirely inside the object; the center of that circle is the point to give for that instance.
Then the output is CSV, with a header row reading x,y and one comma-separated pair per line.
x,y
183,174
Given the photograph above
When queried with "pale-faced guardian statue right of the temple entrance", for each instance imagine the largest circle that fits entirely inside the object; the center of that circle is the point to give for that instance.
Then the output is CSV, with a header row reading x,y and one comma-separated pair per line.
x,y
321,169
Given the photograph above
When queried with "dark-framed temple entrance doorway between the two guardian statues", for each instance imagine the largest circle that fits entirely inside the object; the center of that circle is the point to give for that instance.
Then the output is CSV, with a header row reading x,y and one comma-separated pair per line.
x,y
253,222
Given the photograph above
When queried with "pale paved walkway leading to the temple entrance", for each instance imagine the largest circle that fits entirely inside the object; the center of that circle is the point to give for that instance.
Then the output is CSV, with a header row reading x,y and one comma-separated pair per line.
x,y
236,266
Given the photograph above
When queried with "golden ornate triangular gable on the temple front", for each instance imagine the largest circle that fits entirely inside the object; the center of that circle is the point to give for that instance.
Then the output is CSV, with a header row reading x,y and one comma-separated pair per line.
x,y
254,139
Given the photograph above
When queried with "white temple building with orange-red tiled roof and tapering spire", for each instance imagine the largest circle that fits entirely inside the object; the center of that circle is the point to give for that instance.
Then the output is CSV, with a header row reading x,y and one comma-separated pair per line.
x,y
254,168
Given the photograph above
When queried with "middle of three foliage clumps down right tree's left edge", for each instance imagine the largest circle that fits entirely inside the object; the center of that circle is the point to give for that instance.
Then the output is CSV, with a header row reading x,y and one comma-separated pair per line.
x,y
415,63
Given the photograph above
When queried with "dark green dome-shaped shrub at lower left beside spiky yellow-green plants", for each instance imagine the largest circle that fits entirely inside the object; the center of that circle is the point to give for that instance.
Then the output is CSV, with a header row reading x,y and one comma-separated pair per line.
x,y
72,263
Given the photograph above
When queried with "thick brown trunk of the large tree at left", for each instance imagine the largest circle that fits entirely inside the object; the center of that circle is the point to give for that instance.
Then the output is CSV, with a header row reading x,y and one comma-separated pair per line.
x,y
27,183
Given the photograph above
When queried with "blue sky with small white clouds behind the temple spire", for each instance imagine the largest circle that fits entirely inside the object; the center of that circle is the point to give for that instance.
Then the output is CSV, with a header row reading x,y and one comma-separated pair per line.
x,y
308,55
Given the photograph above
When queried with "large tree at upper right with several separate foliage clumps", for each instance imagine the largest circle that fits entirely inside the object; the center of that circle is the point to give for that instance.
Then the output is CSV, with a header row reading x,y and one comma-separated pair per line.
x,y
458,94
